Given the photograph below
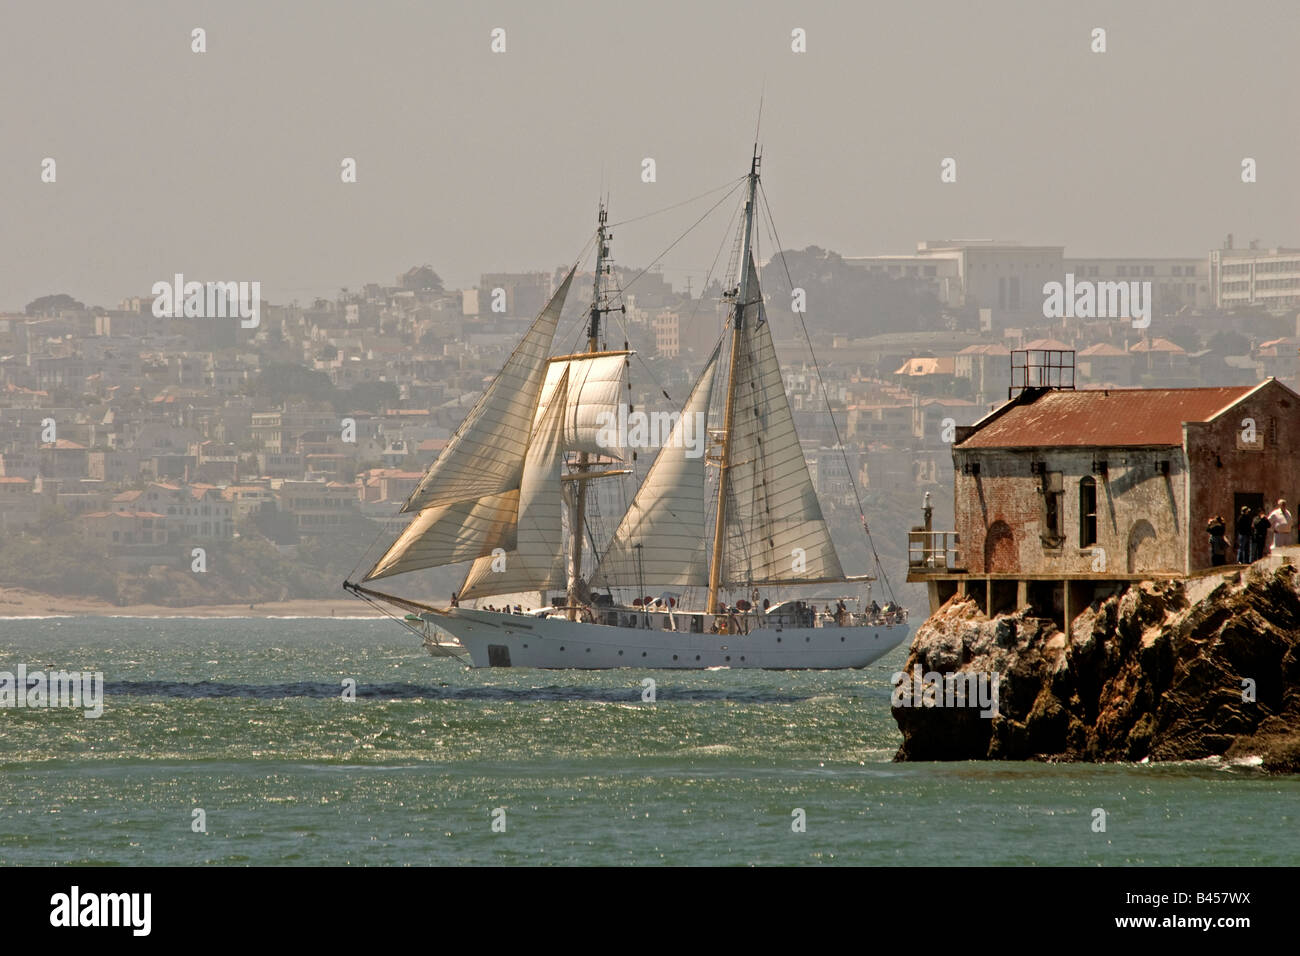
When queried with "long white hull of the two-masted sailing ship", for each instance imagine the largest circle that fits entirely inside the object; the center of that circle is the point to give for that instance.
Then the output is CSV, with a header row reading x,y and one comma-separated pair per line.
x,y
512,641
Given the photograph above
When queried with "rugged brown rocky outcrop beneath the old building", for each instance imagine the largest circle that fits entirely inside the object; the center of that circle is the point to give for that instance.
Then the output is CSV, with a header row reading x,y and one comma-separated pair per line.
x,y
1173,671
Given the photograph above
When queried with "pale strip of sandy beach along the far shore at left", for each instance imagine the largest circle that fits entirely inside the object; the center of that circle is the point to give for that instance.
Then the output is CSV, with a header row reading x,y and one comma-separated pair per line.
x,y
20,603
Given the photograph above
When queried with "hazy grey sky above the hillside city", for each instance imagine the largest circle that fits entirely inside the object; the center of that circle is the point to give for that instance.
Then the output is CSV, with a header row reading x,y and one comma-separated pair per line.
x,y
226,166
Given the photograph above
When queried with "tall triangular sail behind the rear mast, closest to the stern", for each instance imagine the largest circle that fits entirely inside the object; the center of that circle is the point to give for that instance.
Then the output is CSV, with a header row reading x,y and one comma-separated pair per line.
x,y
782,537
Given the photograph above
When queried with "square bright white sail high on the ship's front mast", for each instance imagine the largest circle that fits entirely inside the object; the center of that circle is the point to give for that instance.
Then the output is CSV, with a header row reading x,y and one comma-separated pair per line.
x,y
592,399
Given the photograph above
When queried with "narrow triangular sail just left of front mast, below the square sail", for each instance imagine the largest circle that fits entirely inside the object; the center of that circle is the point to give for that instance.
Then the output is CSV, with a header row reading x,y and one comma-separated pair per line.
x,y
538,560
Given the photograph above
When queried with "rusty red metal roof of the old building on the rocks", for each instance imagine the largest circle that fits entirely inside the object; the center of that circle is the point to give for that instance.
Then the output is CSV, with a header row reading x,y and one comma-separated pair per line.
x,y
1112,418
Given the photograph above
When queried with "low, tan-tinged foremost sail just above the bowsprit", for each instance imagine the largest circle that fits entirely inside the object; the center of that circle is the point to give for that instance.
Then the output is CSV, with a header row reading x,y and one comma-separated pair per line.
x,y
450,534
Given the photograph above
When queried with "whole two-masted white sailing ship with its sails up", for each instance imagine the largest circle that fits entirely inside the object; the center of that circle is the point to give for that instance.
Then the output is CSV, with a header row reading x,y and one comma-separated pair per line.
x,y
734,520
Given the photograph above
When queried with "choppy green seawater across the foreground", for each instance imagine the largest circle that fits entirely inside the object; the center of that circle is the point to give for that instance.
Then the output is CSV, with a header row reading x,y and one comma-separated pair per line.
x,y
245,720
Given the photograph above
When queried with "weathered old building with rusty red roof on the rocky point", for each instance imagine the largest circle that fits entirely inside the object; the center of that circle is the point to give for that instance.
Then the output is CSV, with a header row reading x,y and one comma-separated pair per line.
x,y
1063,496
